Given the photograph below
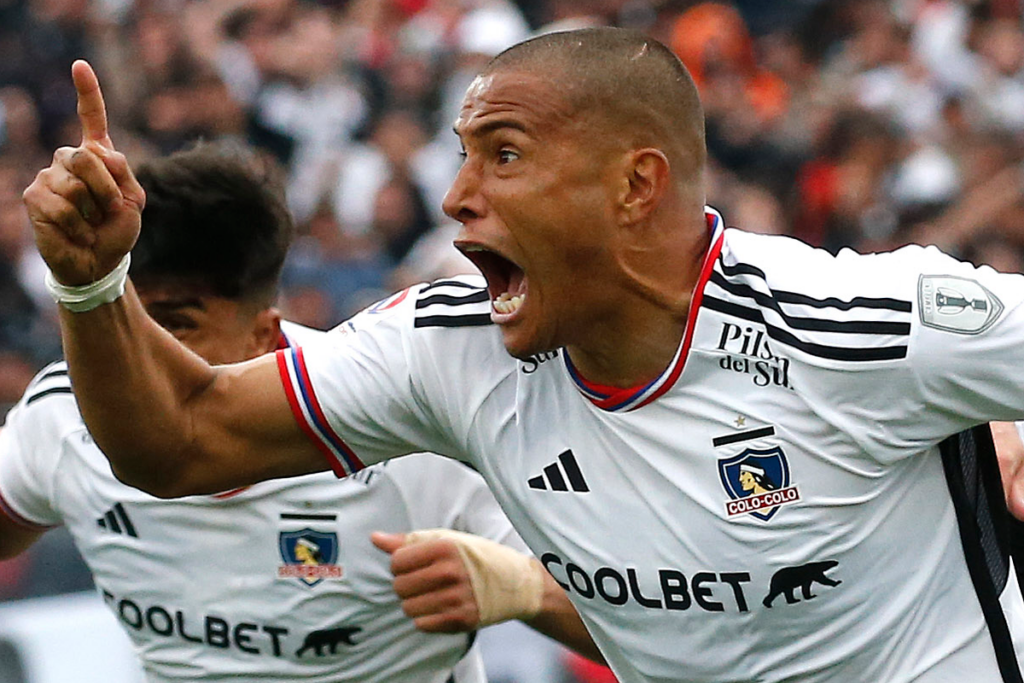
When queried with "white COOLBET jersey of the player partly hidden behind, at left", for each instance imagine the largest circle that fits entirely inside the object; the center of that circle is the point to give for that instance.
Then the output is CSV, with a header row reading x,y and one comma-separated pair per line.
x,y
278,582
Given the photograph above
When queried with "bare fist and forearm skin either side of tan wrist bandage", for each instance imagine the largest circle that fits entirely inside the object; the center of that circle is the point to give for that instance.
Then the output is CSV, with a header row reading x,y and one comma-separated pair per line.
x,y
438,593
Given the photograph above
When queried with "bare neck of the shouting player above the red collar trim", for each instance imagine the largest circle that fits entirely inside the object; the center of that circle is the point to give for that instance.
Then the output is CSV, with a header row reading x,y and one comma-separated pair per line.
x,y
639,343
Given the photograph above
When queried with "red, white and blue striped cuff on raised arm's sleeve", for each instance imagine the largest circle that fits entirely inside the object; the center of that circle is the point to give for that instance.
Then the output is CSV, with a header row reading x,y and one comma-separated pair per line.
x,y
310,415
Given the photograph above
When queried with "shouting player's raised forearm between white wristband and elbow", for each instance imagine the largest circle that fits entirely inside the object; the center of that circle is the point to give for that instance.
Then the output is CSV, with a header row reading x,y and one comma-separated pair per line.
x,y
136,387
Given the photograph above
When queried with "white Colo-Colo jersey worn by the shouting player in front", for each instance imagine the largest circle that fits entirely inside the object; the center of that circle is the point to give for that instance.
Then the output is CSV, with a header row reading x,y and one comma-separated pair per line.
x,y
774,507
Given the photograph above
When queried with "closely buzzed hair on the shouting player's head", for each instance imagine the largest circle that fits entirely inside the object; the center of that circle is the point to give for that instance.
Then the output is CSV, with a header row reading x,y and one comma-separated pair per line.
x,y
629,79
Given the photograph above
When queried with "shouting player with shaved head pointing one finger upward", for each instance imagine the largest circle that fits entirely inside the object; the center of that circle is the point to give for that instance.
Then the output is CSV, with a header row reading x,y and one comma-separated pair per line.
x,y
625,358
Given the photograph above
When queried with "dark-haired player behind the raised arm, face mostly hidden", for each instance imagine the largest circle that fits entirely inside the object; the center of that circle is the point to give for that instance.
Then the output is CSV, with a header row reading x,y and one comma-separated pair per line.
x,y
277,582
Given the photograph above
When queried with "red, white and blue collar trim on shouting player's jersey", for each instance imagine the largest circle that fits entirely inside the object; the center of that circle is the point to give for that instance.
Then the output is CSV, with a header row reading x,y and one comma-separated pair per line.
x,y
621,401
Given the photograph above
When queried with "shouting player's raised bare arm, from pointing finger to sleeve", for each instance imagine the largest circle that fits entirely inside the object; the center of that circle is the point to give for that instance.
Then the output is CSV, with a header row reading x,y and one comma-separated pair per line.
x,y
169,423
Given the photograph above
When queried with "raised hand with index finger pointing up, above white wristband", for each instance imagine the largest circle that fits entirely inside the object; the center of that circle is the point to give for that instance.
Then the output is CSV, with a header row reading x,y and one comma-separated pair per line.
x,y
87,208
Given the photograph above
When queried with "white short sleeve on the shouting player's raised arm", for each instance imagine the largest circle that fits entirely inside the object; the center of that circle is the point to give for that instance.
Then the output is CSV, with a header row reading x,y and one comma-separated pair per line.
x,y
373,390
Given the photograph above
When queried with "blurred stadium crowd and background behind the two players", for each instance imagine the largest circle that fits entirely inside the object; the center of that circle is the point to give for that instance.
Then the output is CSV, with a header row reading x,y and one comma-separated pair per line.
x,y
847,123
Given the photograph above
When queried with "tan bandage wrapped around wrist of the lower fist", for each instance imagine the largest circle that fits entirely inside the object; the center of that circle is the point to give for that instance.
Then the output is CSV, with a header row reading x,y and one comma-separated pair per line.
x,y
506,583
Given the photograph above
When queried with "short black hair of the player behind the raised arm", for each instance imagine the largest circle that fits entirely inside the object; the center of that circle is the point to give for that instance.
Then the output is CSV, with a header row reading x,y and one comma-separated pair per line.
x,y
217,219
